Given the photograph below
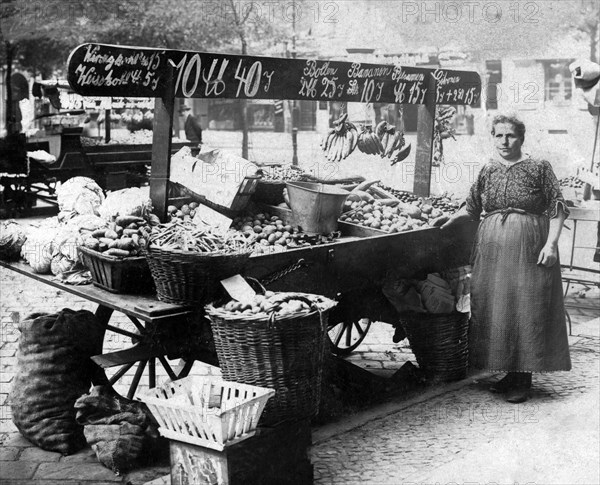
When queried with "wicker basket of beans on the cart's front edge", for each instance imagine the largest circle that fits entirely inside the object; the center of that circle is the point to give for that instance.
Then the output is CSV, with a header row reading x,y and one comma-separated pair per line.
x,y
189,278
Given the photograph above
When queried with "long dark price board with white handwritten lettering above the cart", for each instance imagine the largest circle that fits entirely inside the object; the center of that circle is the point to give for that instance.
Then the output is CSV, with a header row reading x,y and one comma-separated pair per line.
x,y
109,70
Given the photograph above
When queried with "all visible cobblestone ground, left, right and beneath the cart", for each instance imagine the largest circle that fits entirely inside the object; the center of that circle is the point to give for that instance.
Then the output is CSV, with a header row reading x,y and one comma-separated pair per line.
x,y
460,435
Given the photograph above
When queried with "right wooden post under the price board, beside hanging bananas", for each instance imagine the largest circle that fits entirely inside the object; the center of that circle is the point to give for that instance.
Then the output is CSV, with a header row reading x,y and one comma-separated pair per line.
x,y
425,131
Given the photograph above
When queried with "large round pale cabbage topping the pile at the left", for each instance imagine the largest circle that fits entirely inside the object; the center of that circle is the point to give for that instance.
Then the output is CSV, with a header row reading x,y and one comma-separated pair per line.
x,y
80,195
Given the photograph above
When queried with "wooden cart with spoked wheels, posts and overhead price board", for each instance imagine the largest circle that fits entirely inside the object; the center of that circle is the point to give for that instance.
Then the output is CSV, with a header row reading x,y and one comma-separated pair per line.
x,y
351,269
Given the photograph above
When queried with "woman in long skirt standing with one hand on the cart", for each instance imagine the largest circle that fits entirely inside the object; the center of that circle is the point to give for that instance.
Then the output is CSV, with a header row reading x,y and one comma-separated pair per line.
x,y
517,309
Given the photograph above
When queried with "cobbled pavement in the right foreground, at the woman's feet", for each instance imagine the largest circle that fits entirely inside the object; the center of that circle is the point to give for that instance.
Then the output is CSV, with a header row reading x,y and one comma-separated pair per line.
x,y
472,426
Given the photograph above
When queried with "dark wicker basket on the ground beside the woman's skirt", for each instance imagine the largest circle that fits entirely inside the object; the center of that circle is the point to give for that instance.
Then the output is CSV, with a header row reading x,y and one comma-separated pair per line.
x,y
439,342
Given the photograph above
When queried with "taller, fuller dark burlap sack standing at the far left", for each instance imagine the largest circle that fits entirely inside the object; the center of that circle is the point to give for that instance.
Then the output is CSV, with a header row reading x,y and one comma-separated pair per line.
x,y
53,370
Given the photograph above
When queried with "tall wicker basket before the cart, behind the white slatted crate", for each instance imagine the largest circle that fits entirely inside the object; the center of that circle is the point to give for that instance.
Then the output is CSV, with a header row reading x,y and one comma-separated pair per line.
x,y
284,354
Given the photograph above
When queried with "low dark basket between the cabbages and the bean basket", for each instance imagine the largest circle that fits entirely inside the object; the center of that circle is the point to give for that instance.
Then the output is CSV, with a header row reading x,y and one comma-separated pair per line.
x,y
118,275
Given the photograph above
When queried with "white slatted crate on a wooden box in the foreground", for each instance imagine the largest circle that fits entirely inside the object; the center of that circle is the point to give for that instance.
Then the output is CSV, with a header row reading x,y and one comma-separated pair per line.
x,y
206,410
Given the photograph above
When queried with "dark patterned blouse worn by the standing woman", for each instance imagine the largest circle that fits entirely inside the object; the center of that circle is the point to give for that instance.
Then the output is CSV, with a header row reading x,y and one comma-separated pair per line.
x,y
528,185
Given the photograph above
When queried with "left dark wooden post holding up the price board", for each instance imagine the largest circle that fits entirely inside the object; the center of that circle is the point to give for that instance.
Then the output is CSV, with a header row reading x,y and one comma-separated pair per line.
x,y
162,128
